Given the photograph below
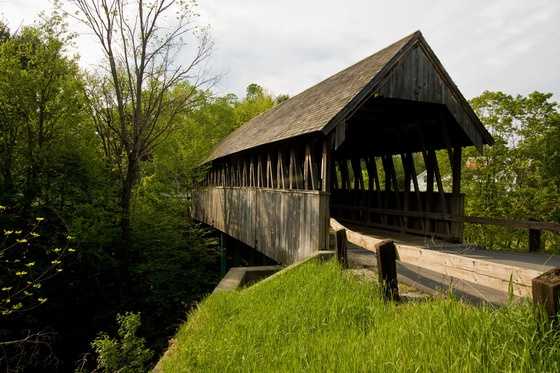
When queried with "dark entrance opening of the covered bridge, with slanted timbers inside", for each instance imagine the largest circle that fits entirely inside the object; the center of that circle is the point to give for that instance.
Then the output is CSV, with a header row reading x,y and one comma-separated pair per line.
x,y
399,169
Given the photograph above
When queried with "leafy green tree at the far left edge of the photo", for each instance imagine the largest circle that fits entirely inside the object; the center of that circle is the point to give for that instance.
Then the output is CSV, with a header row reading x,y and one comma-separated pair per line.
x,y
40,99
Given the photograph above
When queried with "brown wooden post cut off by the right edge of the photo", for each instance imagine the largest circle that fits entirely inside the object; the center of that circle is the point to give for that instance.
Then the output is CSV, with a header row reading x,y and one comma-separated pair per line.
x,y
546,292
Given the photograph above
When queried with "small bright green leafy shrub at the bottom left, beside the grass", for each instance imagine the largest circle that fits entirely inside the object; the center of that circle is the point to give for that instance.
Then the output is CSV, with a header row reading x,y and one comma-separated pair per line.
x,y
128,352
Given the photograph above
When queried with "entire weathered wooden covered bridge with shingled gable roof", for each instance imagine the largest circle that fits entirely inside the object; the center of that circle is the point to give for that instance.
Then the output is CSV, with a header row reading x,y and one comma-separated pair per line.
x,y
349,147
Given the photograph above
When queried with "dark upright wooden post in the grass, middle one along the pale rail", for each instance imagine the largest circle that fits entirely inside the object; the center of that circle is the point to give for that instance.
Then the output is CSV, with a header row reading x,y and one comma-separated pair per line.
x,y
387,269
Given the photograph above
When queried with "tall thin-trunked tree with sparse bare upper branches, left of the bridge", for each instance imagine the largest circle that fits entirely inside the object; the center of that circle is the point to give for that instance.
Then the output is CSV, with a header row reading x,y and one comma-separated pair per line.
x,y
130,101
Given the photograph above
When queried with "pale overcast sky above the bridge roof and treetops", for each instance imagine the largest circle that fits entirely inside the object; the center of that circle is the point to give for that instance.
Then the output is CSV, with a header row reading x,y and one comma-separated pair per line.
x,y
289,45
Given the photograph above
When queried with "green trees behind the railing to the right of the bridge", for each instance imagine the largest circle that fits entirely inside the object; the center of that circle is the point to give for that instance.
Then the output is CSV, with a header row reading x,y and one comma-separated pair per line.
x,y
518,177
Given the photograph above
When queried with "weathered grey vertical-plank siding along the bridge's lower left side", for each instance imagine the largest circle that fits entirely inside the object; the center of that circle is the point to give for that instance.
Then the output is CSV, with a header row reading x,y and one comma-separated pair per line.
x,y
285,225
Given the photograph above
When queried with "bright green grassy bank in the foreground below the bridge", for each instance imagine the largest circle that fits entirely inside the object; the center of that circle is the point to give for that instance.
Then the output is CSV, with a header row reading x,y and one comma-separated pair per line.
x,y
317,318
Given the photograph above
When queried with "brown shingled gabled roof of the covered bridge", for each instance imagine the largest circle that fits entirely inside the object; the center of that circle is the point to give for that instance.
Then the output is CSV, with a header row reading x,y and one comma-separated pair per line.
x,y
322,106
